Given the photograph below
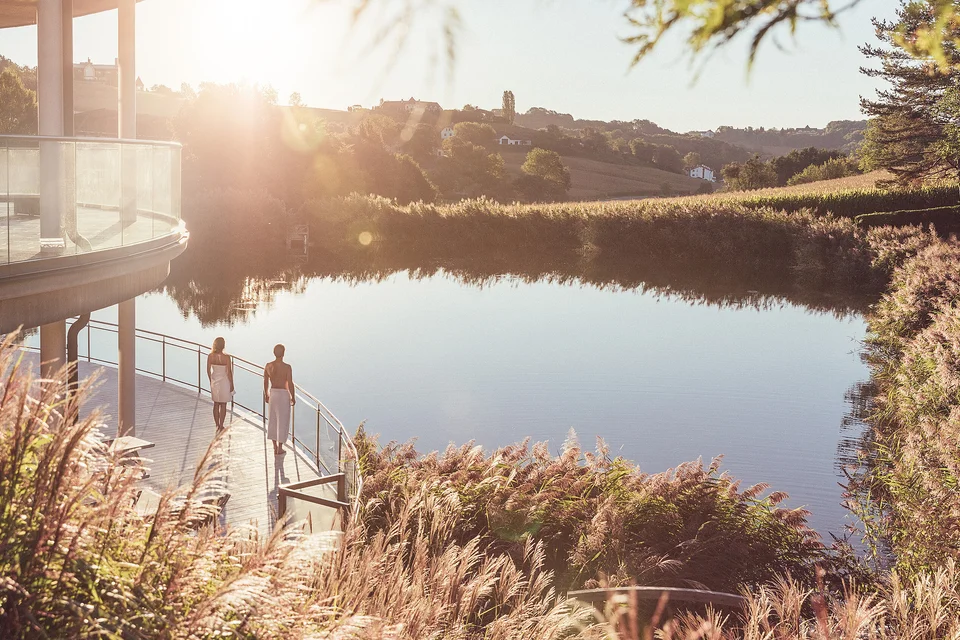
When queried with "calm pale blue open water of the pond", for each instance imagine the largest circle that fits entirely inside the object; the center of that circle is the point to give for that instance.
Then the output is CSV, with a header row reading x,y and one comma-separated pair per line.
x,y
661,380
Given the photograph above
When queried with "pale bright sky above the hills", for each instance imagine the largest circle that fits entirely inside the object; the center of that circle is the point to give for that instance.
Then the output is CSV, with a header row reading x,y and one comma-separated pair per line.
x,y
561,54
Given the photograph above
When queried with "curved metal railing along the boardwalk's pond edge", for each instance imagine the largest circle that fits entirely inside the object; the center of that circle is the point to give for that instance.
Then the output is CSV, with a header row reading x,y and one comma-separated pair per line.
x,y
347,449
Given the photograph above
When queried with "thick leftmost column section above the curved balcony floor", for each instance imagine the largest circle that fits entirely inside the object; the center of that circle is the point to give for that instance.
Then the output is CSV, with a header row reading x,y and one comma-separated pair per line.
x,y
50,99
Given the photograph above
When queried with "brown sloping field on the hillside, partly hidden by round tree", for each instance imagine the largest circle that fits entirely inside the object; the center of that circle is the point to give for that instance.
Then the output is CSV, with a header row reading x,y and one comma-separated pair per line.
x,y
595,180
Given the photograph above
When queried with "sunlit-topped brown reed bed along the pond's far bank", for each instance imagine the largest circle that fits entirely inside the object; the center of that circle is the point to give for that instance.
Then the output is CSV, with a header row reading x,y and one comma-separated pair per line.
x,y
755,247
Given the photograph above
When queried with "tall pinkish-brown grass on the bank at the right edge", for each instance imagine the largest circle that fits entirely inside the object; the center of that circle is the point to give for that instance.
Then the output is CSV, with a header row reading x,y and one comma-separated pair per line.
x,y
913,473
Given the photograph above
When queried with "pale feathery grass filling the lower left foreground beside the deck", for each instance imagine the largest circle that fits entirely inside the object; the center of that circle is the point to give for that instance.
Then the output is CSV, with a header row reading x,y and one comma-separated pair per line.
x,y
77,561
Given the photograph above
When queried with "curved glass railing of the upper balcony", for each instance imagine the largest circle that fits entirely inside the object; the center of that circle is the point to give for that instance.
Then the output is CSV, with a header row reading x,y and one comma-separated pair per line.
x,y
66,196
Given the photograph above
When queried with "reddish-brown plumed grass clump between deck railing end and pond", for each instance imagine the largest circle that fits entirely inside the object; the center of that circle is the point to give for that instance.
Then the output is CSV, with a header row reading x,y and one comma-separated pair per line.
x,y
598,519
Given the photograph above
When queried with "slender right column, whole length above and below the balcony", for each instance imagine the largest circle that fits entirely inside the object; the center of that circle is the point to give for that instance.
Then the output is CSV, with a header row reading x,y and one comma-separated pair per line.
x,y
127,118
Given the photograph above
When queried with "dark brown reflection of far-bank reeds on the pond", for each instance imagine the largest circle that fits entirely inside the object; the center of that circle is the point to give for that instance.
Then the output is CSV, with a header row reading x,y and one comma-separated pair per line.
x,y
228,292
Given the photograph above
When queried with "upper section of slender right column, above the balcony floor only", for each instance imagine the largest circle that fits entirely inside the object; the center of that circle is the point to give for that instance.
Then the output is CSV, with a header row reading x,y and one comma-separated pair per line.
x,y
127,107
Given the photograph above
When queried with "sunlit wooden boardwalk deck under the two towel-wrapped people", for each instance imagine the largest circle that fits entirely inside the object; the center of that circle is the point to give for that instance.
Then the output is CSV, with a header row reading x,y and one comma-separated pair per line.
x,y
180,423
